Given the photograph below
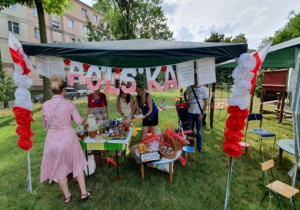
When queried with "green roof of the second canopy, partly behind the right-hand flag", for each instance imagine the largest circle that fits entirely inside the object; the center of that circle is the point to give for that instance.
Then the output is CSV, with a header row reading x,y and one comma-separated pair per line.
x,y
282,55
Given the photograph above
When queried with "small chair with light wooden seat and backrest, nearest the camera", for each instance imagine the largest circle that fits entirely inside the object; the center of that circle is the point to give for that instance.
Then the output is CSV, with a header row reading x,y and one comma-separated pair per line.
x,y
277,187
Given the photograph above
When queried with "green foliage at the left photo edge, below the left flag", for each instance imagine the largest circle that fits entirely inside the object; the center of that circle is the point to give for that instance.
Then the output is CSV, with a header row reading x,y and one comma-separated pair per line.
x,y
7,86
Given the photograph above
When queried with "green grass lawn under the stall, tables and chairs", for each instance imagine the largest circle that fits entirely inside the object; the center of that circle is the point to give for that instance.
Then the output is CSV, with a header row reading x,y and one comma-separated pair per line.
x,y
197,186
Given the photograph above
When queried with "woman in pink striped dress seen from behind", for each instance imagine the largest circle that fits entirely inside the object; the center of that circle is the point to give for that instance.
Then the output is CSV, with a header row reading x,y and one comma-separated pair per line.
x,y
62,153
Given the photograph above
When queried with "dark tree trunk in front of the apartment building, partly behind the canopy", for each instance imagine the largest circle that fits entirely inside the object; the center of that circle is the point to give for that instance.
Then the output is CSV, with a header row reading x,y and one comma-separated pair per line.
x,y
43,34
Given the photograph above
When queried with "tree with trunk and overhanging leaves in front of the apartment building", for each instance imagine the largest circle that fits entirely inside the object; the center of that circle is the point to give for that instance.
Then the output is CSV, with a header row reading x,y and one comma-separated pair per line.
x,y
56,7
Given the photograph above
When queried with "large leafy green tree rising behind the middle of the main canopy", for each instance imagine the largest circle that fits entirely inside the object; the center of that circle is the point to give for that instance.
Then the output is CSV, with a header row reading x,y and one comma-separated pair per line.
x,y
130,19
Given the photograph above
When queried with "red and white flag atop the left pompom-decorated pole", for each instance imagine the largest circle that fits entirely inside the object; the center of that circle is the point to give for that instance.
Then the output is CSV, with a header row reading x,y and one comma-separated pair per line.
x,y
18,55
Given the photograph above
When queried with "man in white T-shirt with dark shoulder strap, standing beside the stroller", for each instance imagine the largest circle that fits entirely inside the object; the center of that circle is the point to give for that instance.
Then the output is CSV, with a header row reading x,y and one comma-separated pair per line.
x,y
196,98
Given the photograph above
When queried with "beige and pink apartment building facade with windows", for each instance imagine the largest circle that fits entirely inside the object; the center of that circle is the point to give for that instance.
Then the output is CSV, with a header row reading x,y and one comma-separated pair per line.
x,y
22,21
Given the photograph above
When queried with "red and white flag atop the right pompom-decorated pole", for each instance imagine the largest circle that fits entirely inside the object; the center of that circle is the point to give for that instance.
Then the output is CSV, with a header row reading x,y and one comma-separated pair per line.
x,y
259,57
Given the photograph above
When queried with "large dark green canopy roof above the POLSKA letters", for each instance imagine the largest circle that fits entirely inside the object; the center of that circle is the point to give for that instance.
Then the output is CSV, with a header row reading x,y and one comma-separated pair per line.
x,y
138,52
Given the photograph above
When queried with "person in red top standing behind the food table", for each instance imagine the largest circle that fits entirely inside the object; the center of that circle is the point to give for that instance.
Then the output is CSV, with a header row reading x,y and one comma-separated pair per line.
x,y
98,104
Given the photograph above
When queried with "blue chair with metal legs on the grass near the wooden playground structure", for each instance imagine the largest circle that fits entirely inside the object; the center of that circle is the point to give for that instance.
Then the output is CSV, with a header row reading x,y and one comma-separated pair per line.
x,y
258,131
